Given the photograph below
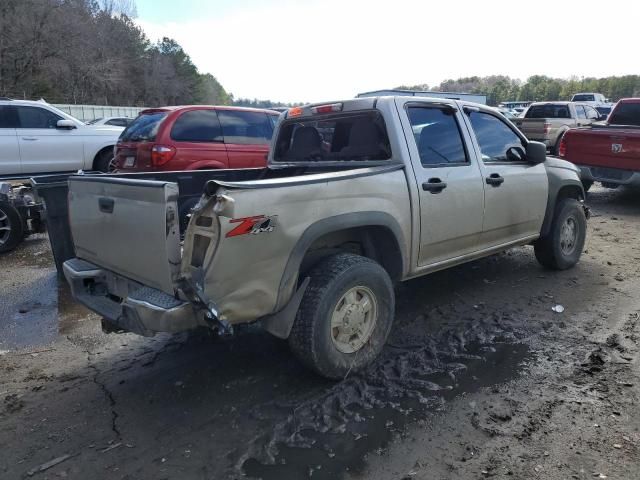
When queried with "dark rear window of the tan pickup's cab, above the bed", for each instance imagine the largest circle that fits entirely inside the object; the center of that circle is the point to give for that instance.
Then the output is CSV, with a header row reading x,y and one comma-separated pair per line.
x,y
361,136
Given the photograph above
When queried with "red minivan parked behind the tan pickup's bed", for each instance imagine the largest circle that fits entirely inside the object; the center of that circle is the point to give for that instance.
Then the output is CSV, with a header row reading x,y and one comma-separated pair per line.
x,y
195,137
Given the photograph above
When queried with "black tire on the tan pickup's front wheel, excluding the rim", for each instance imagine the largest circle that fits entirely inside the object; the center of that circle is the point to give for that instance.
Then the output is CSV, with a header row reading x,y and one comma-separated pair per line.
x,y
549,249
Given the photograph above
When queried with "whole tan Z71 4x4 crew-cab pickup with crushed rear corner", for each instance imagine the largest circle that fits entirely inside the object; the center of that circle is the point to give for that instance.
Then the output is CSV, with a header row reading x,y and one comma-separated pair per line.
x,y
357,195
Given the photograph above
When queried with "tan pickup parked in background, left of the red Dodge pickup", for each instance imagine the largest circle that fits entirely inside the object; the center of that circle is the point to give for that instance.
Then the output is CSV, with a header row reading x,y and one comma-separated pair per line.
x,y
546,121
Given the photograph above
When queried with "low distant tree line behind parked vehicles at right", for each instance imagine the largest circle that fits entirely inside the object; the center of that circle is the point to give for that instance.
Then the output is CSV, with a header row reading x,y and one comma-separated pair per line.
x,y
500,88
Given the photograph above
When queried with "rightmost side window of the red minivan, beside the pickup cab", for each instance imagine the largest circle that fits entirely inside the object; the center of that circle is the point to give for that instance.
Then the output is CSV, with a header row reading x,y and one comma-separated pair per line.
x,y
245,128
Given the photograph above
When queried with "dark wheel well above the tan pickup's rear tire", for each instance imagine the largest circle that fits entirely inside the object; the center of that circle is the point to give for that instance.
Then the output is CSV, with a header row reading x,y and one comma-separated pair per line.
x,y
375,242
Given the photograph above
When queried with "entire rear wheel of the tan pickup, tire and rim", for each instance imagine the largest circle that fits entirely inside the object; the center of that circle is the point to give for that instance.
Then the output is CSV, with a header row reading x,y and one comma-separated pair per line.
x,y
345,315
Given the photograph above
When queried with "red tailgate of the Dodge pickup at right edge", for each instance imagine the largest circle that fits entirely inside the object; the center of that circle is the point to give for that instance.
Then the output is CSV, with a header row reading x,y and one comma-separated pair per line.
x,y
604,147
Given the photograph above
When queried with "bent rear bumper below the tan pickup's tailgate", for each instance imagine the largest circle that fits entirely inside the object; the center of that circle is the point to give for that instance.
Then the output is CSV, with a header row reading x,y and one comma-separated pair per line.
x,y
128,305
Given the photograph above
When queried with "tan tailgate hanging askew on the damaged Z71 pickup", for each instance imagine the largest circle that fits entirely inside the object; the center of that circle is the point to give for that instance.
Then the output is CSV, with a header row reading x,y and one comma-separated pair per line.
x,y
127,226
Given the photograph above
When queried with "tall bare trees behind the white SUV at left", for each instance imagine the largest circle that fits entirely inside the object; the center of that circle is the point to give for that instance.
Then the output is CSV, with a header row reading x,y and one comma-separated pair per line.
x,y
92,52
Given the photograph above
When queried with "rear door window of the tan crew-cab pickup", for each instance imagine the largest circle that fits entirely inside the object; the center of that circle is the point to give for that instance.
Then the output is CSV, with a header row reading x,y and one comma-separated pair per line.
x,y
437,136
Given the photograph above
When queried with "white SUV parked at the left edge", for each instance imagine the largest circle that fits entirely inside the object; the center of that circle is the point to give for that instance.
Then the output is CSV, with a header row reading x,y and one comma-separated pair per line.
x,y
36,137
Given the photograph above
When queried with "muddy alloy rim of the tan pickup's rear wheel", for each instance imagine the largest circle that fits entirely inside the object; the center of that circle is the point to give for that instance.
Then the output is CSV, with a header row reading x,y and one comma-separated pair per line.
x,y
354,319
